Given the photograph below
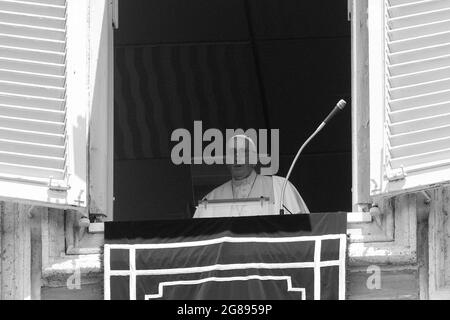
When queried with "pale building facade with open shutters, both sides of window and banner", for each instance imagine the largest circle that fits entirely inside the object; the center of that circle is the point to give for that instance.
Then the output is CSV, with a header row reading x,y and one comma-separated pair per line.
x,y
56,148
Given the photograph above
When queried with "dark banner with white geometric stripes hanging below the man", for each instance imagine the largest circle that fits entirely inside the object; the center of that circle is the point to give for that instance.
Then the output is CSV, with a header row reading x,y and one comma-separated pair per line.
x,y
286,257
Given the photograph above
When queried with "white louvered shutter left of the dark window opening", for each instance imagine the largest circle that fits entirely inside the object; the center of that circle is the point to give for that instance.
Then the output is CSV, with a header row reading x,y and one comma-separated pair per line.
x,y
43,101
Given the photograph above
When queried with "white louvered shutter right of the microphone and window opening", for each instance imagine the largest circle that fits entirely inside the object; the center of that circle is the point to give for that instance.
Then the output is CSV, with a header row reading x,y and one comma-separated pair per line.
x,y
413,119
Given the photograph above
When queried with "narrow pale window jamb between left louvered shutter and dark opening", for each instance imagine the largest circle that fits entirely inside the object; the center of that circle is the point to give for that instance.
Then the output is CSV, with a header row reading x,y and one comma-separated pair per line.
x,y
103,18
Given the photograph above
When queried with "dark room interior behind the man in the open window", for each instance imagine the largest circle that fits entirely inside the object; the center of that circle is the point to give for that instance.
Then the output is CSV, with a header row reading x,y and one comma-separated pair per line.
x,y
232,64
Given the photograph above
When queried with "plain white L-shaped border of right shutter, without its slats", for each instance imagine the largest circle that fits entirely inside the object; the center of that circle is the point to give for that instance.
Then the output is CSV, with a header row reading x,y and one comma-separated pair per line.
x,y
380,184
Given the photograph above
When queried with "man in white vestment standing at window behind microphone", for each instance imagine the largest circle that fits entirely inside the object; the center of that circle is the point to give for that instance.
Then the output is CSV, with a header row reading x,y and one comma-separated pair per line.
x,y
245,183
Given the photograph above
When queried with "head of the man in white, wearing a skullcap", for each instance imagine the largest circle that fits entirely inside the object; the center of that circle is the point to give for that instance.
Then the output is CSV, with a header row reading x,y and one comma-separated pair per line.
x,y
242,149
